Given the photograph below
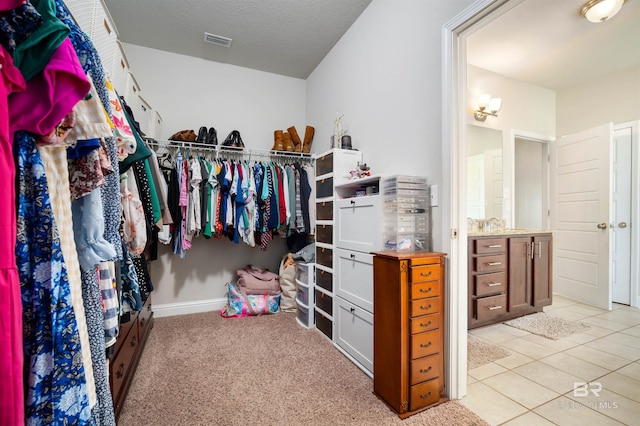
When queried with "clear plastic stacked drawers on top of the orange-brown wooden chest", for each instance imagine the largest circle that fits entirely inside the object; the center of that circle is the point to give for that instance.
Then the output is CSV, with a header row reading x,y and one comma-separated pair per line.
x,y
406,213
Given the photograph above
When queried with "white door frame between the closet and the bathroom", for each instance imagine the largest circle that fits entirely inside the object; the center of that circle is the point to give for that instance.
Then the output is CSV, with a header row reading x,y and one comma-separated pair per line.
x,y
454,121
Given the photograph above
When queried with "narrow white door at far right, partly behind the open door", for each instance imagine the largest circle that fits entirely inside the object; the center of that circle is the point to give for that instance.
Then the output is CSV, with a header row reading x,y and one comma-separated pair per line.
x,y
621,216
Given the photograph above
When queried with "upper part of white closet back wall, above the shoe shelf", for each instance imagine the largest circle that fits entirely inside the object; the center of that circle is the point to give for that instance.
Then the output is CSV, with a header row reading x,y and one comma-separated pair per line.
x,y
191,92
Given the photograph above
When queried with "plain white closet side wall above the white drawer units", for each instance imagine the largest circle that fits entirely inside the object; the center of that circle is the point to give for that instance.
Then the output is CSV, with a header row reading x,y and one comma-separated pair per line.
x,y
384,75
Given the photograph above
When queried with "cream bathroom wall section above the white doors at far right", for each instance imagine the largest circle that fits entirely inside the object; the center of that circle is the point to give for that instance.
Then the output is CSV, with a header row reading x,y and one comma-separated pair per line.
x,y
612,99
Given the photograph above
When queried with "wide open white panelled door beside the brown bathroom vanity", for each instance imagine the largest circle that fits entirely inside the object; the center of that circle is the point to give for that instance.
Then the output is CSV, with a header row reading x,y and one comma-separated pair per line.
x,y
580,191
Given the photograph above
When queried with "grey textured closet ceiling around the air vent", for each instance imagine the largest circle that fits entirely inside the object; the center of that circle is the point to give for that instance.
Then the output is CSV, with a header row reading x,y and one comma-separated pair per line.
x,y
287,37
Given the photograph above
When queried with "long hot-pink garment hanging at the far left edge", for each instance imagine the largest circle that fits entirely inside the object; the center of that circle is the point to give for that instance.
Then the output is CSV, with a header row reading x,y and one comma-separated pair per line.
x,y
11,355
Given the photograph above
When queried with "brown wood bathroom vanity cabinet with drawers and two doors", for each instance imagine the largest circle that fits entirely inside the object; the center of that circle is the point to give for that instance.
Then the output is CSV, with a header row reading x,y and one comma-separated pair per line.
x,y
509,276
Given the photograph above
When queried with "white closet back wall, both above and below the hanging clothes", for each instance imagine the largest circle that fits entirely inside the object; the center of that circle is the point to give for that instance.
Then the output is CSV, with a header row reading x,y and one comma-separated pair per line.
x,y
189,93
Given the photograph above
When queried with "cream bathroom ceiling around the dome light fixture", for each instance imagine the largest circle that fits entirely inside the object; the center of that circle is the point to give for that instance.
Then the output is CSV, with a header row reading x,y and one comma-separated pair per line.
x,y
548,43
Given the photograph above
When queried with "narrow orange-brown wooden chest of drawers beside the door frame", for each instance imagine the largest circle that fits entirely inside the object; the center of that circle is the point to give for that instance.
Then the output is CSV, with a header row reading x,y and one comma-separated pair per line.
x,y
408,330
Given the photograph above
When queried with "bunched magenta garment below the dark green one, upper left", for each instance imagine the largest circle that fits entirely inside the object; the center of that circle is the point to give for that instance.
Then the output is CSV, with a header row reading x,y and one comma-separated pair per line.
x,y
50,95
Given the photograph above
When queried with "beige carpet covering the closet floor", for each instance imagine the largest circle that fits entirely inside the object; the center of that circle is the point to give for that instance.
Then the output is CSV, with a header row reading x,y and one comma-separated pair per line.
x,y
203,369
